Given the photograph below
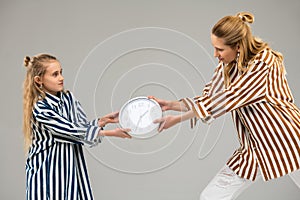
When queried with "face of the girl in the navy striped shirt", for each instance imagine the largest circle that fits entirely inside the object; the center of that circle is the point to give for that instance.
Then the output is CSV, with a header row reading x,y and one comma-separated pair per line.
x,y
52,81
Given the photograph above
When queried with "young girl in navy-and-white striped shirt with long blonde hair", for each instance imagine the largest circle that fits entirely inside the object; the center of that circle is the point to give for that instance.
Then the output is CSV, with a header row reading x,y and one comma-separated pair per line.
x,y
55,129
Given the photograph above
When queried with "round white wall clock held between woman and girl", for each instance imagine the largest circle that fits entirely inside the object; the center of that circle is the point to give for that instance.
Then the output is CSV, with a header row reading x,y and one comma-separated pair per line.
x,y
138,115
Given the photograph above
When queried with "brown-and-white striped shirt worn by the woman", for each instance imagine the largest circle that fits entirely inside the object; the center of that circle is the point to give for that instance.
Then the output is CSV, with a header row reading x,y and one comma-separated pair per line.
x,y
263,112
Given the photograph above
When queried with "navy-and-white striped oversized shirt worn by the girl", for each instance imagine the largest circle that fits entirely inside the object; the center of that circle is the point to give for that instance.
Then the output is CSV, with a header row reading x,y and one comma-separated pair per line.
x,y
56,167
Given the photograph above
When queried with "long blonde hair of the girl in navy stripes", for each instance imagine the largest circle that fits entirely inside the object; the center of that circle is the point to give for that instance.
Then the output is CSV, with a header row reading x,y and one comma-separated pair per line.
x,y
32,91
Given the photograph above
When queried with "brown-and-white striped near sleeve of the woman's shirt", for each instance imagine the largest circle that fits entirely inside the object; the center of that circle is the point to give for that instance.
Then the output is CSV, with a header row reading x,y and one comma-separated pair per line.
x,y
249,88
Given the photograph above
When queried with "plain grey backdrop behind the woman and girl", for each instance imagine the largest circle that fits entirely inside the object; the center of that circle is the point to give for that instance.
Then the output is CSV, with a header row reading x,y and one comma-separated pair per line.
x,y
169,165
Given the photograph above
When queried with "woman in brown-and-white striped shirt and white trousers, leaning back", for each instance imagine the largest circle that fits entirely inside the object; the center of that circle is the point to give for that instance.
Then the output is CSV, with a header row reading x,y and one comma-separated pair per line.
x,y
250,83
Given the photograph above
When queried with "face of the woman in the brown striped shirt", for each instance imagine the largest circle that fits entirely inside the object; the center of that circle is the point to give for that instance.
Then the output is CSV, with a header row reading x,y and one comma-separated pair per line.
x,y
223,52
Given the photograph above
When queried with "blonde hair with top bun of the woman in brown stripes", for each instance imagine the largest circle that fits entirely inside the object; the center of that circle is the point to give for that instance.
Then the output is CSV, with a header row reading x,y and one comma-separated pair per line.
x,y
235,31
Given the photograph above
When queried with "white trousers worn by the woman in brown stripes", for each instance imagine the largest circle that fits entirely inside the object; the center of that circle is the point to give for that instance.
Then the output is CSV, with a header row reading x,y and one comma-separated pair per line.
x,y
226,185
